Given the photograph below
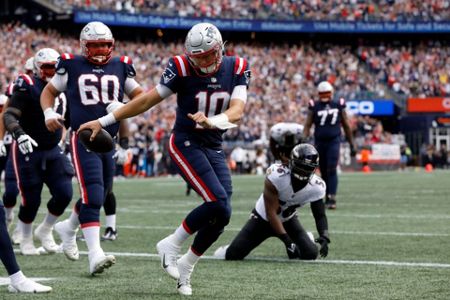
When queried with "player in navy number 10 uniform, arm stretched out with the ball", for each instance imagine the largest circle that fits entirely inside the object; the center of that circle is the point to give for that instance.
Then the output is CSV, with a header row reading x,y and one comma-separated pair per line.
x,y
211,93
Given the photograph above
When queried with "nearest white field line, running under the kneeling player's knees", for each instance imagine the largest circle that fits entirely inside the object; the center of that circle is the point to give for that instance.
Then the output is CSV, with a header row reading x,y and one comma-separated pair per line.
x,y
273,259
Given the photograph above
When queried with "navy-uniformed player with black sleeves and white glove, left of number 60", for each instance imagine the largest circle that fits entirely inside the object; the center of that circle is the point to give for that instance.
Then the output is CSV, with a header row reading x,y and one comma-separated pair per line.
x,y
36,155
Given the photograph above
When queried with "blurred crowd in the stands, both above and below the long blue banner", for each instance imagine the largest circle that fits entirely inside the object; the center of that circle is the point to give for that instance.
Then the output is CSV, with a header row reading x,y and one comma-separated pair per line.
x,y
284,75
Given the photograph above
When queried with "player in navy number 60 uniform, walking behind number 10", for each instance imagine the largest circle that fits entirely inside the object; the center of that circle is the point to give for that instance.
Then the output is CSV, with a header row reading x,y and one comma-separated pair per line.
x,y
94,82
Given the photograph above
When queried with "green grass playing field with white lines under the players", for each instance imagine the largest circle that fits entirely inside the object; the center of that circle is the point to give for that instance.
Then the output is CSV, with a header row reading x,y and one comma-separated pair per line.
x,y
390,239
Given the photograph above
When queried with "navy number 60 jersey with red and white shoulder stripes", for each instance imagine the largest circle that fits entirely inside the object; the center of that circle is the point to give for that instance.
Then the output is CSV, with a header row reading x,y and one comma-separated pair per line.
x,y
89,88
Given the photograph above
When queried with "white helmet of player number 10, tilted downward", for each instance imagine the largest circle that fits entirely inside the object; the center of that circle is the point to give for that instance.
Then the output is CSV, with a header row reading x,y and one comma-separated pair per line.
x,y
204,47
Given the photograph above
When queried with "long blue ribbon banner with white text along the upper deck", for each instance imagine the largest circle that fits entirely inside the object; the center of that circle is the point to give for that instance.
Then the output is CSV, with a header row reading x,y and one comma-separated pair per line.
x,y
154,21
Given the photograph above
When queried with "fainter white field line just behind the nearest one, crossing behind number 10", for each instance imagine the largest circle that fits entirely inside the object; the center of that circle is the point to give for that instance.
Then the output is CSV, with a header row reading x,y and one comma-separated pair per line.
x,y
332,232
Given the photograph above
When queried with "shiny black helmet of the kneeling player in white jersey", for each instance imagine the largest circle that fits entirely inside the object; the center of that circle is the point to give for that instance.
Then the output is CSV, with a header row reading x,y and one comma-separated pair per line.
x,y
303,161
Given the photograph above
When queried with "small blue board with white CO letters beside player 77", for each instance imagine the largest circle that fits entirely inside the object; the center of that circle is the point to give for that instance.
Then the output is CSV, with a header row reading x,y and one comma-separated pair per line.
x,y
380,107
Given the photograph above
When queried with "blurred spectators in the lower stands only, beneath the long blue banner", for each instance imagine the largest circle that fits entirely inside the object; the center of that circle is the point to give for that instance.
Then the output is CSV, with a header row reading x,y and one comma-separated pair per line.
x,y
284,78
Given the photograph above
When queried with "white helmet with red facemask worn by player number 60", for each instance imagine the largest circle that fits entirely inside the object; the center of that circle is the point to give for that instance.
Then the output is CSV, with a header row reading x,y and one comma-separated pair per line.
x,y
96,32
